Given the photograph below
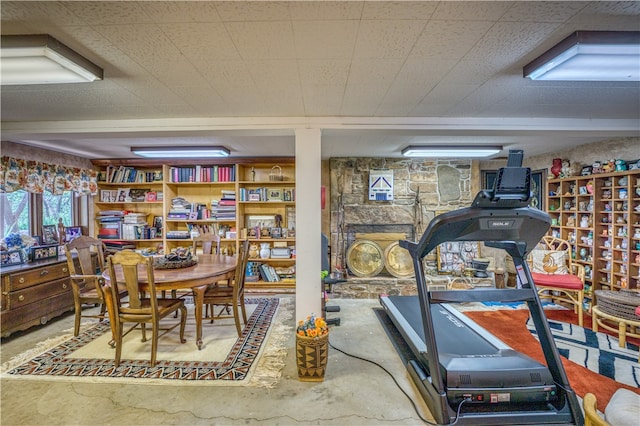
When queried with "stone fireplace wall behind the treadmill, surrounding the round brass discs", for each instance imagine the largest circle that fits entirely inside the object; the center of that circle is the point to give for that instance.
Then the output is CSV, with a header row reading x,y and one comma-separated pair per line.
x,y
421,190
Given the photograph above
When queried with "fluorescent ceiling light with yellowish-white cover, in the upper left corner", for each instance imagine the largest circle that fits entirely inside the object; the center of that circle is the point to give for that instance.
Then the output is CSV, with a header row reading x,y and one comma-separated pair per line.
x,y
41,59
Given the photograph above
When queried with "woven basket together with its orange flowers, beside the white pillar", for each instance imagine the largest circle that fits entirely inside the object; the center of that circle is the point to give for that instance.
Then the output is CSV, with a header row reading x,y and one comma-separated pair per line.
x,y
312,349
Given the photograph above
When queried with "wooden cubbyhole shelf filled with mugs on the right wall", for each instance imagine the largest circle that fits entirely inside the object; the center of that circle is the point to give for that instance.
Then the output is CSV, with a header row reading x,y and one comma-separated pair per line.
x,y
599,214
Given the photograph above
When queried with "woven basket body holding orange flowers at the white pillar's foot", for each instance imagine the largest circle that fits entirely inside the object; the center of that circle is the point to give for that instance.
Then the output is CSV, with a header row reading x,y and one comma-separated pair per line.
x,y
312,354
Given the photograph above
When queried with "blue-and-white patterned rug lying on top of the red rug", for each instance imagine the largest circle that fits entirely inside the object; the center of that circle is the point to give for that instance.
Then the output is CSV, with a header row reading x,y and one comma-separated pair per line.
x,y
598,352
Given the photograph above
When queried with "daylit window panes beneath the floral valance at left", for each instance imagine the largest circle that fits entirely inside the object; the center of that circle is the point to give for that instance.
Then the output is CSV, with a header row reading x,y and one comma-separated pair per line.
x,y
20,211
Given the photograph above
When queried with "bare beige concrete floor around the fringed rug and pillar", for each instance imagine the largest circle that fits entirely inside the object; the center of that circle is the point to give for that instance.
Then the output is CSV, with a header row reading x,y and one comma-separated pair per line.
x,y
354,392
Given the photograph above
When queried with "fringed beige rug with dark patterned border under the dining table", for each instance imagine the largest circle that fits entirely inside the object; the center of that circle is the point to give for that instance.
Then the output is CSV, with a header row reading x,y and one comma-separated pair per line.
x,y
254,359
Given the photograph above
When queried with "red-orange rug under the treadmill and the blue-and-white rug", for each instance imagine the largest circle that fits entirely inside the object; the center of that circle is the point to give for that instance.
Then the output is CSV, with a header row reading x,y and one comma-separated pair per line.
x,y
510,327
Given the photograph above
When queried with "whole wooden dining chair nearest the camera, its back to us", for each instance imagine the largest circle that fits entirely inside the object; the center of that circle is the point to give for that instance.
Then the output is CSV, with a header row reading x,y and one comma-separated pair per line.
x,y
140,310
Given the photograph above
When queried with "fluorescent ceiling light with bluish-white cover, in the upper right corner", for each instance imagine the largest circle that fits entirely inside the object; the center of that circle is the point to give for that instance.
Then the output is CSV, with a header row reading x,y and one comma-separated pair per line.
x,y
590,56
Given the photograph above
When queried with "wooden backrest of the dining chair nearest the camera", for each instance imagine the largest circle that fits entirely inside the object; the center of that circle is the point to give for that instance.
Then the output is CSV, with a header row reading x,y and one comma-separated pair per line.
x,y
132,265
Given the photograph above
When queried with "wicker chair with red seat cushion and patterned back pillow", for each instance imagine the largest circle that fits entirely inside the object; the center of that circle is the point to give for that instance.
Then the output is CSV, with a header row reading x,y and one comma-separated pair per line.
x,y
556,275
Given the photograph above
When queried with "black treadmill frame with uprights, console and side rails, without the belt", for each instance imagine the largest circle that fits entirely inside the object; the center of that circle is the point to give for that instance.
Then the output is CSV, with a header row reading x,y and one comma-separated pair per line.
x,y
516,230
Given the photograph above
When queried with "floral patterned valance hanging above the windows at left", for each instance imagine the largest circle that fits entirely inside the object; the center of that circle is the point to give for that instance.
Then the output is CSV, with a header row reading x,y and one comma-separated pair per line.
x,y
35,176
